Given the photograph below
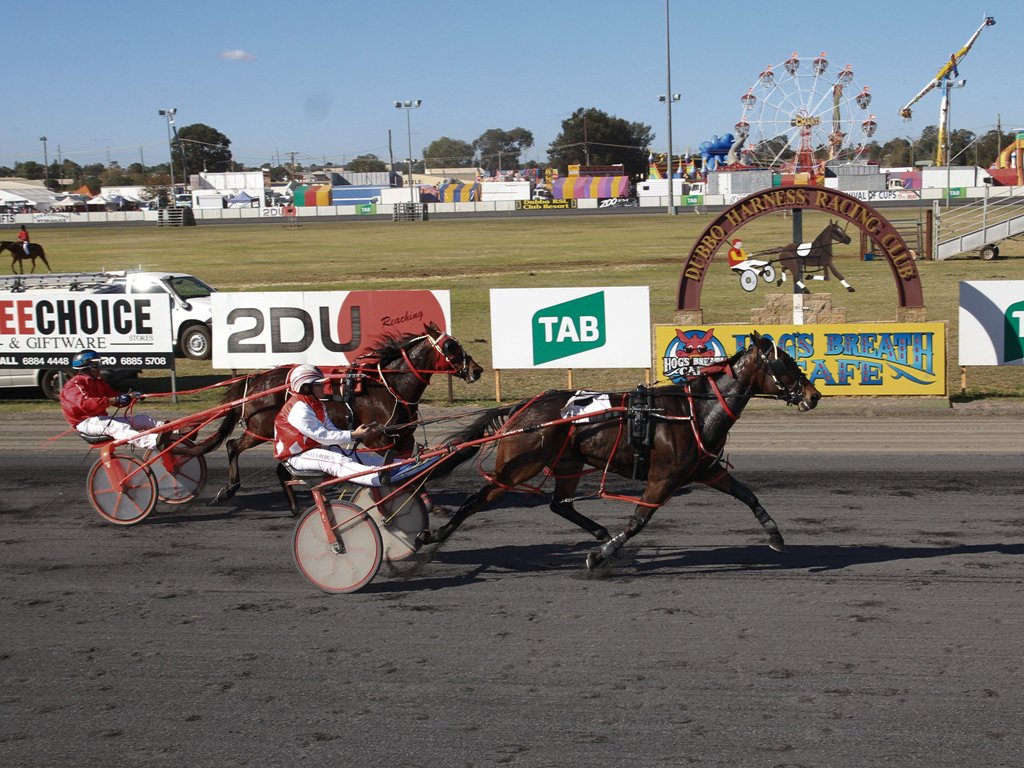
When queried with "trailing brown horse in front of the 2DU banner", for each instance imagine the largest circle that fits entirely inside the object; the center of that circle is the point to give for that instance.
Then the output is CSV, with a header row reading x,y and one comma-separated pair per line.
x,y
385,386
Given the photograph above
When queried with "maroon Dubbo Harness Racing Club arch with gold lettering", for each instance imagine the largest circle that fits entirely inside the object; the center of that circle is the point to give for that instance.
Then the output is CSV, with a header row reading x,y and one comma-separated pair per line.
x,y
910,295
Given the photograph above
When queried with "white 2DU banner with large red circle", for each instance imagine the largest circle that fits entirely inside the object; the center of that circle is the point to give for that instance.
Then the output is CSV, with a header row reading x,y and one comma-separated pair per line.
x,y
325,328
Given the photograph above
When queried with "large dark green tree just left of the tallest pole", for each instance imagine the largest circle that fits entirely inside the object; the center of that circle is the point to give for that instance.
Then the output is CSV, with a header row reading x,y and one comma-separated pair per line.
x,y
594,138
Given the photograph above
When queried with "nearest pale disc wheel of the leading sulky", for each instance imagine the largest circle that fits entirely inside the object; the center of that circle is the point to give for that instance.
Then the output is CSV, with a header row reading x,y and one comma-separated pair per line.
x,y
329,568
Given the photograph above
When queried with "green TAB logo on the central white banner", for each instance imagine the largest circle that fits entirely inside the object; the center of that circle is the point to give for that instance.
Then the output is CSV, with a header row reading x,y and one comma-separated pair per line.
x,y
569,329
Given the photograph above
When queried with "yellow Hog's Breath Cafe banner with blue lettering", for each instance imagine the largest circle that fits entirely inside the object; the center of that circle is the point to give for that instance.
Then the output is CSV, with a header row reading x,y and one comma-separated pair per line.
x,y
849,359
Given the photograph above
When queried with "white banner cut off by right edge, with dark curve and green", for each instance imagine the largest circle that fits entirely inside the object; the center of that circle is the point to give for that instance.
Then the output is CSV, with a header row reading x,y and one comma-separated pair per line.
x,y
992,323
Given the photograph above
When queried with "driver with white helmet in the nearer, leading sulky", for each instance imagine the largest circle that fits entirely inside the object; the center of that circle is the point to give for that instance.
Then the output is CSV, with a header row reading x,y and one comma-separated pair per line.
x,y
306,439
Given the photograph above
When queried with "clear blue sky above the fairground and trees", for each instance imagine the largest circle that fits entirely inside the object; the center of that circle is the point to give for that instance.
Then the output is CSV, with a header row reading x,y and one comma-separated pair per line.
x,y
319,78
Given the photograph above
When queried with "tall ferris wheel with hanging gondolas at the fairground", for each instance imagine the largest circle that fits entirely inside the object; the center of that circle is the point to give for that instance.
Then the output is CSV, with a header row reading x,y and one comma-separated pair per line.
x,y
804,113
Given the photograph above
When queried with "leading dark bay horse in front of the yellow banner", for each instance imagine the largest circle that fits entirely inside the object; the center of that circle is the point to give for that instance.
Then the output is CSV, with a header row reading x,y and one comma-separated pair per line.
x,y
690,425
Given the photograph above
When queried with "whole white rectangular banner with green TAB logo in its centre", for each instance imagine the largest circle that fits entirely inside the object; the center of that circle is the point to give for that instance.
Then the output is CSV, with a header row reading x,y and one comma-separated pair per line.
x,y
571,328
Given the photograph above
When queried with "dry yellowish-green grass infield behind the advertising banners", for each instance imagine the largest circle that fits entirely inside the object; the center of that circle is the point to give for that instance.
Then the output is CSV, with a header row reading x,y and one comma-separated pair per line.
x,y
471,257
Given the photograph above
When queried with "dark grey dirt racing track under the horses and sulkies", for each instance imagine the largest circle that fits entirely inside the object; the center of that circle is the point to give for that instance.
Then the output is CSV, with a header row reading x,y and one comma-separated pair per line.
x,y
888,634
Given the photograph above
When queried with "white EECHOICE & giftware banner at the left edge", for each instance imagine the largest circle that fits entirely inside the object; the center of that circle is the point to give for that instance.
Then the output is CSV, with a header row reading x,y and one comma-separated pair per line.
x,y
47,330
